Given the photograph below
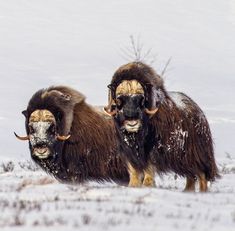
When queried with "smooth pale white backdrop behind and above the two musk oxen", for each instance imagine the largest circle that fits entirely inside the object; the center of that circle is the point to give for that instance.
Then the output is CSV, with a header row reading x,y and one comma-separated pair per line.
x,y
78,43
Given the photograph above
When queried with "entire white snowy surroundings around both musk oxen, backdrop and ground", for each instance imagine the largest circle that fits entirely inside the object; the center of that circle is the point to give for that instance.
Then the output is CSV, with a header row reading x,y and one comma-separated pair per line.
x,y
80,44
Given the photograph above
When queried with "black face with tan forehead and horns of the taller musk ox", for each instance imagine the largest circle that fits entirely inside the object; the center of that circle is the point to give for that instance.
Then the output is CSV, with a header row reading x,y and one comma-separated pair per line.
x,y
129,106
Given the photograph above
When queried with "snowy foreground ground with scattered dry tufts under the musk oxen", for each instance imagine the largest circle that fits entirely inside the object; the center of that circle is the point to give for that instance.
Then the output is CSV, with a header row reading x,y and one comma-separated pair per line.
x,y
31,199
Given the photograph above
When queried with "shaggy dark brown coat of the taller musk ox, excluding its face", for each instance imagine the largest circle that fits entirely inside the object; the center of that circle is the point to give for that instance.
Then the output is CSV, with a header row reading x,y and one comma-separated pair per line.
x,y
177,138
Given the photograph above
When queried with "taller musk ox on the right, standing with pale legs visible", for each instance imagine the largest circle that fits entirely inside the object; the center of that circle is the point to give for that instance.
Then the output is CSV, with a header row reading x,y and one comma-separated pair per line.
x,y
159,130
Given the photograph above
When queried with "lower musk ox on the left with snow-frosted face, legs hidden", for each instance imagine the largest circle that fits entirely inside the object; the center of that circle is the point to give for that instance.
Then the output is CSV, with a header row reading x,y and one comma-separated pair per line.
x,y
70,139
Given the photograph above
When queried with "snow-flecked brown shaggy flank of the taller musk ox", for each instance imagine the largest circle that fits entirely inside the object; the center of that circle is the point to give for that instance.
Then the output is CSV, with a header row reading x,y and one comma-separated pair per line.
x,y
187,147
